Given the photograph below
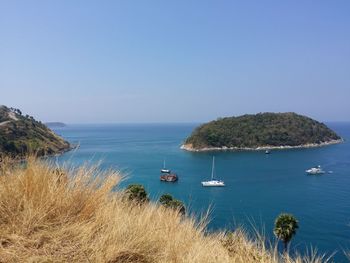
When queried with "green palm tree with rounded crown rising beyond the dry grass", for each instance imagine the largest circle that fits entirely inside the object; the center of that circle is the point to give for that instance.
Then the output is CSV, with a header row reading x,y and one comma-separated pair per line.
x,y
286,226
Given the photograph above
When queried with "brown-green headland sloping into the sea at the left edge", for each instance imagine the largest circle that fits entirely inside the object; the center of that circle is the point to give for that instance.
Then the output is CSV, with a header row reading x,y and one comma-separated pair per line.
x,y
20,135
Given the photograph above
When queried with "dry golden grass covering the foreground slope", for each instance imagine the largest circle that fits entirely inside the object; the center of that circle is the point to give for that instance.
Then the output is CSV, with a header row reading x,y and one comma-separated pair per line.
x,y
47,215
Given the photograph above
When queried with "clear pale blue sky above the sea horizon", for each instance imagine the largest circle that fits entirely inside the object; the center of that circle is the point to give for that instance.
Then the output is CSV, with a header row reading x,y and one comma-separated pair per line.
x,y
174,61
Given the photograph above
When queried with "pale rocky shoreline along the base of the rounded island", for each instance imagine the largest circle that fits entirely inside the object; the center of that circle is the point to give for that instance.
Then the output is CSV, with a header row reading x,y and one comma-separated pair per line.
x,y
260,148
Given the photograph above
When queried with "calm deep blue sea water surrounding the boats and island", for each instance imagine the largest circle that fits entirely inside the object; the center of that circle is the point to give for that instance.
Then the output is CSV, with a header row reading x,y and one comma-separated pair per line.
x,y
259,186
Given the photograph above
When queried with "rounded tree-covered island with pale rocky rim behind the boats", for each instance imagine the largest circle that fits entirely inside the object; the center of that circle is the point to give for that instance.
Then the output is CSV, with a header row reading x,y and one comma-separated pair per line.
x,y
260,131
